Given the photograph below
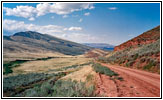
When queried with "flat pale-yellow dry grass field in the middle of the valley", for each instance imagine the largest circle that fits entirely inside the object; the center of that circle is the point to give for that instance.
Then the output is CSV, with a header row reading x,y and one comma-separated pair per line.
x,y
48,65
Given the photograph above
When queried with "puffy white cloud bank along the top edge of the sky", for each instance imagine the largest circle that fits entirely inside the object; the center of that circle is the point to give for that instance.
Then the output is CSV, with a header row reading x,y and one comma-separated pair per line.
x,y
44,8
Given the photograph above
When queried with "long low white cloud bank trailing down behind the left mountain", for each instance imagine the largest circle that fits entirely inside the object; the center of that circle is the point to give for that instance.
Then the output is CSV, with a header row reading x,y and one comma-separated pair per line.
x,y
58,31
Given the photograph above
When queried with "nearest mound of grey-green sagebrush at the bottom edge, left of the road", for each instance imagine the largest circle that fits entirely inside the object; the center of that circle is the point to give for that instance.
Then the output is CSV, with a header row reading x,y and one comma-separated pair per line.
x,y
61,88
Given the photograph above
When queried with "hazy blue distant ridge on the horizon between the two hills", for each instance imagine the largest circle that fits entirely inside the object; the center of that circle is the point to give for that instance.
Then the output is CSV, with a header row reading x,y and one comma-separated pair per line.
x,y
103,46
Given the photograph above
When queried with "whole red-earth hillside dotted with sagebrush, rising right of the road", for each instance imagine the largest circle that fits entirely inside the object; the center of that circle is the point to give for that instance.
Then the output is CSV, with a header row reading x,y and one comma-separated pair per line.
x,y
141,52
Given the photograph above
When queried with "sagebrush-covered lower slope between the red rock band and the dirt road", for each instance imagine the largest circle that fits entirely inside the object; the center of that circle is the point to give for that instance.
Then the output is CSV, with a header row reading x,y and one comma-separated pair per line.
x,y
144,57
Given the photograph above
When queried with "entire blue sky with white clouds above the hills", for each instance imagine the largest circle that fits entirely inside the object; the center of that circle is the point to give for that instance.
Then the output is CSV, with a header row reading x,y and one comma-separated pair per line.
x,y
112,23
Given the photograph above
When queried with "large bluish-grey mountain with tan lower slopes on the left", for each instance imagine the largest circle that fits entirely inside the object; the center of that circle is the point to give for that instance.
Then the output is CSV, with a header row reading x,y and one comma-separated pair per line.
x,y
31,41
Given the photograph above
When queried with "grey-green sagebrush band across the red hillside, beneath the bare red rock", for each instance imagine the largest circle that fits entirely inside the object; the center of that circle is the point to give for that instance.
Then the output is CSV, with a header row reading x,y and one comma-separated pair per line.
x,y
131,54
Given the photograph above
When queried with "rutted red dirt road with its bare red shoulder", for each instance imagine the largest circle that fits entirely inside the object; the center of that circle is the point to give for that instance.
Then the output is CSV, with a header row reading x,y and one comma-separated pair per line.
x,y
135,83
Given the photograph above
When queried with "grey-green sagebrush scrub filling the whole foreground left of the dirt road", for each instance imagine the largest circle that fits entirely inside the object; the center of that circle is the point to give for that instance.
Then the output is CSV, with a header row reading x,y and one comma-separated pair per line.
x,y
47,85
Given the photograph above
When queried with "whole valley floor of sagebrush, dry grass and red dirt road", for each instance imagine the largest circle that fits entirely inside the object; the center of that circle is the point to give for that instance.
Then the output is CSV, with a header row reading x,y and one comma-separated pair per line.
x,y
36,76
